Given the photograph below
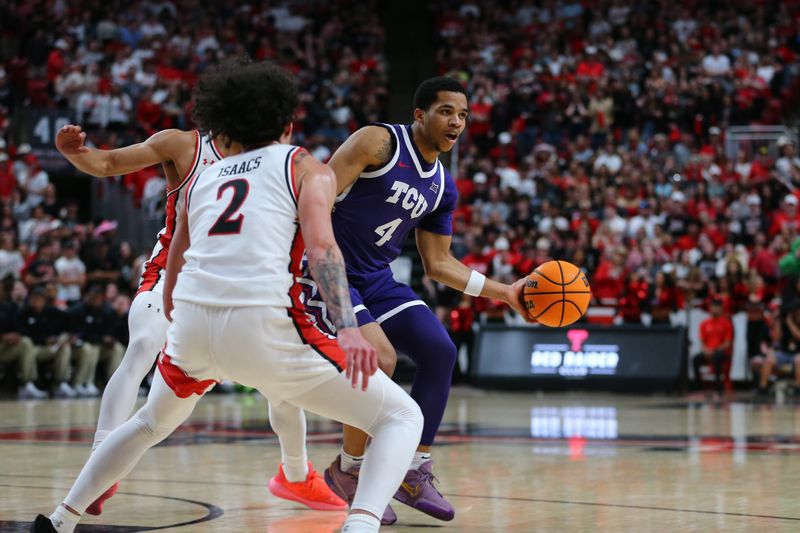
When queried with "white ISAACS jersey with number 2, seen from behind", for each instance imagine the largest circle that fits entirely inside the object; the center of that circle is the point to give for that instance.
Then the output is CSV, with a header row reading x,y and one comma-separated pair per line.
x,y
244,206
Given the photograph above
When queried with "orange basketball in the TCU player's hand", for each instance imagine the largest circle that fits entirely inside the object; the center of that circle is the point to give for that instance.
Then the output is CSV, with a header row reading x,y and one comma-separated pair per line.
x,y
556,294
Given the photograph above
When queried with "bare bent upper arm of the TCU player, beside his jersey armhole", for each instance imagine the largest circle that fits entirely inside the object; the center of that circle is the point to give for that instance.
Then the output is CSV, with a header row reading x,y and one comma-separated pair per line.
x,y
369,147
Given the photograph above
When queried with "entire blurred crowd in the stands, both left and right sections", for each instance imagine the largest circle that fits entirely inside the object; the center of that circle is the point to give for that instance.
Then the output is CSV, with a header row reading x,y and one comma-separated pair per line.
x,y
597,134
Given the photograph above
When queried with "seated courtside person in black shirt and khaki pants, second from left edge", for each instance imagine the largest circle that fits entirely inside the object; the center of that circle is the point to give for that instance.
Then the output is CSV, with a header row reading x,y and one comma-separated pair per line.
x,y
47,327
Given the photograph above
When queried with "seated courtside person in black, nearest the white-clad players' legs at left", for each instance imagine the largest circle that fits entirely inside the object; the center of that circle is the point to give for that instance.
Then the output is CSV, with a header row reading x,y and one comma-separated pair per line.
x,y
93,324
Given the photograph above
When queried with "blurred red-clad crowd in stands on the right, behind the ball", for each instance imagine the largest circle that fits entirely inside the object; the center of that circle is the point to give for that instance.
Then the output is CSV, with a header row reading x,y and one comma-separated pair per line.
x,y
597,135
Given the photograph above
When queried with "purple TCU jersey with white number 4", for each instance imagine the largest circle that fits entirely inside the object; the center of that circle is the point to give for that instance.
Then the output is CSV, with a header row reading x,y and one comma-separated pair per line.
x,y
372,218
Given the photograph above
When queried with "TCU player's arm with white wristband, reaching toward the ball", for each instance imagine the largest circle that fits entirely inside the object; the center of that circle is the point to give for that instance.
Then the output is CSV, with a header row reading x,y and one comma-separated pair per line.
x,y
441,266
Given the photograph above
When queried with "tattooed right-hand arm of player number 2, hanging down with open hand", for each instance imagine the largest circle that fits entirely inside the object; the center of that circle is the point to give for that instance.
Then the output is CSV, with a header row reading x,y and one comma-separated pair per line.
x,y
317,188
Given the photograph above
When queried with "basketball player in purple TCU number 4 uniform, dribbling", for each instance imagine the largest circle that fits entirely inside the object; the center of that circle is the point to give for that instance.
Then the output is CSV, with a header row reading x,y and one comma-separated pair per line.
x,y
392,182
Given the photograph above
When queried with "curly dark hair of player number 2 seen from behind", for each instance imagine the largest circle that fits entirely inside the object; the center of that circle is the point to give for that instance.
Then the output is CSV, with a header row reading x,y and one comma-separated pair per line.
x,y
250,103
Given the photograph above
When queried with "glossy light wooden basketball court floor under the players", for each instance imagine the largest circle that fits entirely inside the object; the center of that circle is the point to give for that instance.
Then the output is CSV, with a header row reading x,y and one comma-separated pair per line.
x,y
508,461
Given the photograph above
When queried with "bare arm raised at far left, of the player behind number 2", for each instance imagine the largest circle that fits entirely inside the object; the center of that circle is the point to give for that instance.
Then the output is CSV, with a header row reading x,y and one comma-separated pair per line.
x,y
101,163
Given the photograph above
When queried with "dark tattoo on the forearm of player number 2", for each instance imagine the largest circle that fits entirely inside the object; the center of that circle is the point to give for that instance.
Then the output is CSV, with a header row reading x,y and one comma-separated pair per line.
x,y
329,273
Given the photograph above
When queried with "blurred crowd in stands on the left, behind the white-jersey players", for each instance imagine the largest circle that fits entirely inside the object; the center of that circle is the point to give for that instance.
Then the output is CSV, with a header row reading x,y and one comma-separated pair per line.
x,y
126,70
